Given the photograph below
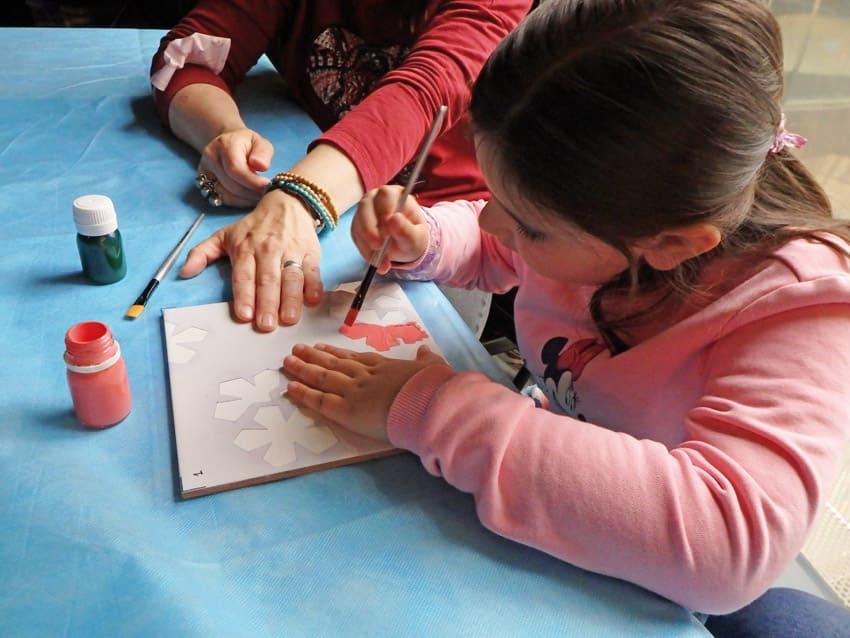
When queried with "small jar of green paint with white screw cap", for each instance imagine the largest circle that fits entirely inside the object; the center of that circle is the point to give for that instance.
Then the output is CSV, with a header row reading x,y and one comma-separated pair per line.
x,y
98,239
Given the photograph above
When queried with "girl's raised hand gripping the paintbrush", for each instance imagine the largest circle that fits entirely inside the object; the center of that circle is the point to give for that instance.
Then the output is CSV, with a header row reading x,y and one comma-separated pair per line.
x,y
376,219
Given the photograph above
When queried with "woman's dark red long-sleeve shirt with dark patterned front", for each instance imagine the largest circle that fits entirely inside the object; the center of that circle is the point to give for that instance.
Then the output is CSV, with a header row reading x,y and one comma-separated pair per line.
x,y
369,83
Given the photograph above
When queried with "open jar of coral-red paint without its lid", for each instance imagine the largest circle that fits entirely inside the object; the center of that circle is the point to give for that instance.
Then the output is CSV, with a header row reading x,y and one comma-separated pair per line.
x,y
97,375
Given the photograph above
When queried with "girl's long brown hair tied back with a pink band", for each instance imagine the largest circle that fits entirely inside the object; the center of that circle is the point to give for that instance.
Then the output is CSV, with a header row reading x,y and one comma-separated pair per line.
x,y
630,117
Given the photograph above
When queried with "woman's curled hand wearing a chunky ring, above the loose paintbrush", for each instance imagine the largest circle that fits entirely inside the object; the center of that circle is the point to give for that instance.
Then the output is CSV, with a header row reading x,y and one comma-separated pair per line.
x,y
234,158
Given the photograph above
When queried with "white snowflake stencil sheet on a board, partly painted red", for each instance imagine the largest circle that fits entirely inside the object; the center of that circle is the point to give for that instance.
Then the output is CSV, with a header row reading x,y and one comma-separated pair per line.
x,y
233,427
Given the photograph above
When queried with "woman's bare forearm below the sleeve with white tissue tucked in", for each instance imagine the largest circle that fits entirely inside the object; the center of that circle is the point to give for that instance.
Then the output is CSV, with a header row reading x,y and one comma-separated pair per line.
x,y
200,112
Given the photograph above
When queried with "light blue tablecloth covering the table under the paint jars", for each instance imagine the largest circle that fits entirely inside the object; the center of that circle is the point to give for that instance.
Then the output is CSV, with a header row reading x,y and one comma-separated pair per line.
x,y
93,540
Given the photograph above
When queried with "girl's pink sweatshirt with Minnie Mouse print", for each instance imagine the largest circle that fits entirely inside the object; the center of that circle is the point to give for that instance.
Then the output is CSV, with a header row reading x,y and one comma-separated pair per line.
x,y
693,464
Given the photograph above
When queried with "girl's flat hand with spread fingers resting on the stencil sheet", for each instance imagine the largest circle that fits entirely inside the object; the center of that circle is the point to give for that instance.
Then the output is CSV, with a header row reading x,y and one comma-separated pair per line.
x,y
353,389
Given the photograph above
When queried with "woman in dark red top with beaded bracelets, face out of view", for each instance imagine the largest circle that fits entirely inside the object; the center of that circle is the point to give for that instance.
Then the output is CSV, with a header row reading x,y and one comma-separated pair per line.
x,y
371,74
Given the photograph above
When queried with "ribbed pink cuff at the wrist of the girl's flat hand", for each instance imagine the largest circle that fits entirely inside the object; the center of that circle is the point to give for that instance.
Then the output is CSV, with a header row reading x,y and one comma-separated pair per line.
x,y
408,410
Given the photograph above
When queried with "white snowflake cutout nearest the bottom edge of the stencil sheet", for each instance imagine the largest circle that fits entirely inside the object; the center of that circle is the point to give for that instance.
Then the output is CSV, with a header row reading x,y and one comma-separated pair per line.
x,y
281,434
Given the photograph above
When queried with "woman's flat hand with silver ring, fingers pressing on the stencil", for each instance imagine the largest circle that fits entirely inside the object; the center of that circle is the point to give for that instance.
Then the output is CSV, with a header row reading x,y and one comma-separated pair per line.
x,y
280,229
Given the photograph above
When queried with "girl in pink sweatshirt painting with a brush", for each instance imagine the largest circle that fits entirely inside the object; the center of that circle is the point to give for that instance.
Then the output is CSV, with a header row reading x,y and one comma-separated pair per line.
x,y
683,303
